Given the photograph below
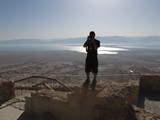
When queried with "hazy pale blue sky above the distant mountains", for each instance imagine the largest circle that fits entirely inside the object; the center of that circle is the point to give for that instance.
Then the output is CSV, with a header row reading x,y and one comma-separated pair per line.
x,y
49,19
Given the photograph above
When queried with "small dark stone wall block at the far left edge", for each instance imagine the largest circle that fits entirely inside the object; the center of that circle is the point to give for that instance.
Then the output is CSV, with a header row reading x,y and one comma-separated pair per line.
x,y
6,91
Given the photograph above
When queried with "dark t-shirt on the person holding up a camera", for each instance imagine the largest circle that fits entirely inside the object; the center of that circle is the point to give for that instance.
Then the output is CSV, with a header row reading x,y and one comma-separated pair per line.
x,y
90,47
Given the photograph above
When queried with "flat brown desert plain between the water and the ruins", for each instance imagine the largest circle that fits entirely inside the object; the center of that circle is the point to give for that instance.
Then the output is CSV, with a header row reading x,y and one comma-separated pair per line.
x,y
68,66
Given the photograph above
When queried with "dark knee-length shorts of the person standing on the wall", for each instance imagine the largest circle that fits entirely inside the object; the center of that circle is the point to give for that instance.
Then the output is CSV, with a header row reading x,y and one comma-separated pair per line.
x,y
91,64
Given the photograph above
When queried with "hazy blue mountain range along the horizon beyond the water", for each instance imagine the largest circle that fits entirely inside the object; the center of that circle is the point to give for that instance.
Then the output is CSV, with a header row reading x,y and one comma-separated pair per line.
x,y
109,40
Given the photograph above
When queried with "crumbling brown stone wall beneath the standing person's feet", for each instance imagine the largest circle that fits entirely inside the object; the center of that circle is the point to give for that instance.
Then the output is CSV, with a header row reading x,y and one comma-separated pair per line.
x,y
107,102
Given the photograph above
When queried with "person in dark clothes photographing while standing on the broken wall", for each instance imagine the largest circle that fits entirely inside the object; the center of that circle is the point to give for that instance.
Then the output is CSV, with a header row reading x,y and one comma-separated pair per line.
x,y
91,64
